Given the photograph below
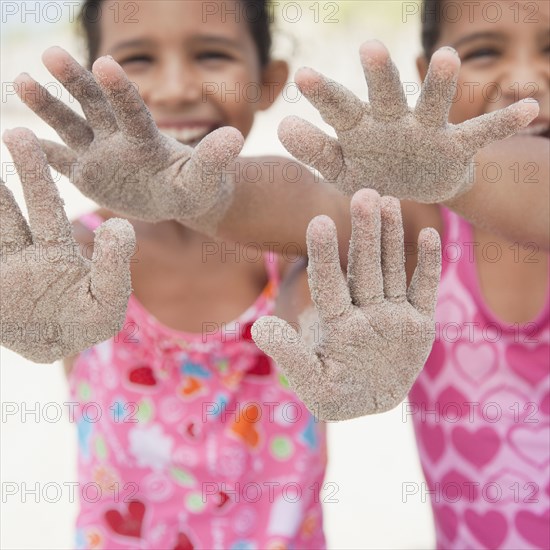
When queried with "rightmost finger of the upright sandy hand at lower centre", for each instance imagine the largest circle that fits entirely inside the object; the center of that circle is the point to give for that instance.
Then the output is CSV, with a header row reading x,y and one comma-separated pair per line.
x,y
422,292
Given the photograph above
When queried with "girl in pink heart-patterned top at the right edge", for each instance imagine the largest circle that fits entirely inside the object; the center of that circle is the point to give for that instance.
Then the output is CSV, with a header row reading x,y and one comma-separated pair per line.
x,y
494,371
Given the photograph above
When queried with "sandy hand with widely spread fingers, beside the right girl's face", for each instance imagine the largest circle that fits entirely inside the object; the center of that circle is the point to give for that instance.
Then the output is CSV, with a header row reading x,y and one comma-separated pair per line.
x,y
385,145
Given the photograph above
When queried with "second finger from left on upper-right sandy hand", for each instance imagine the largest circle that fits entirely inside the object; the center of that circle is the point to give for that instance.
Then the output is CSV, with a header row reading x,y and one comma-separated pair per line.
x,y
337,105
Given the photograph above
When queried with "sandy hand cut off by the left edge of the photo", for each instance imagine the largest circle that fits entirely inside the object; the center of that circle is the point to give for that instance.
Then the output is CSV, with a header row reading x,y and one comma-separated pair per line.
x,y
56,303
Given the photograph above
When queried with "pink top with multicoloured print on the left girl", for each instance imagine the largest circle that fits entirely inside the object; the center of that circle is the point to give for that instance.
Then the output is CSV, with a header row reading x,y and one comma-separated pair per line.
x,y
194,440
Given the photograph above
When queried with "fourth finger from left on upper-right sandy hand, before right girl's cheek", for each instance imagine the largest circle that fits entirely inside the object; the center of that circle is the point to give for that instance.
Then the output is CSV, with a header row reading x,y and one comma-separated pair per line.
x,y
439,88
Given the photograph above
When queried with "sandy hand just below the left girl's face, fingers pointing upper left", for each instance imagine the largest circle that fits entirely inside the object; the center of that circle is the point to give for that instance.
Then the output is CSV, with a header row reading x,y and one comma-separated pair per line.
x,y
117,156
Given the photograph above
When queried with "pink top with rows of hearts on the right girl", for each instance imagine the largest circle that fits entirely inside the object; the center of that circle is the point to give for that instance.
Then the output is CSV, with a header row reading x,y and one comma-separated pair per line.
x,y
481,414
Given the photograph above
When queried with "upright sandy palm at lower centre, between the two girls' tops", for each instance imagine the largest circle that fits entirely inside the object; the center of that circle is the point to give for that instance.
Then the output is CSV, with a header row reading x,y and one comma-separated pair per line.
x,y
373,335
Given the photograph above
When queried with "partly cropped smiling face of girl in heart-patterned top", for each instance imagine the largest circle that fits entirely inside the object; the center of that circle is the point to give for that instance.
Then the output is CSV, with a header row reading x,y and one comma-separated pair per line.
x,y
505,57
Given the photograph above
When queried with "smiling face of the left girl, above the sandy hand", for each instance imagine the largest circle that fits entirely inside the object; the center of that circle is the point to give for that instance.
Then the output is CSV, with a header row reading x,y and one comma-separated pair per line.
x,y
195,70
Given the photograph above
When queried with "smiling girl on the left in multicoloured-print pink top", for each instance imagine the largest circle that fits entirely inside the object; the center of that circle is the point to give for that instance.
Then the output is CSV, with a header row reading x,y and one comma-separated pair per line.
x,y
201,443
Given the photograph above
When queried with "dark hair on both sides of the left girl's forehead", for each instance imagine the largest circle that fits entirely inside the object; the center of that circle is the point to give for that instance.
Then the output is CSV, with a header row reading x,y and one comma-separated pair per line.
x,y
255,12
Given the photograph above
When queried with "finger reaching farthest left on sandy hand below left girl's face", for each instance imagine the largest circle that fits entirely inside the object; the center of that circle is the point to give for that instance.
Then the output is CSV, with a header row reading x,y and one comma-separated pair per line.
x,y
71,127
